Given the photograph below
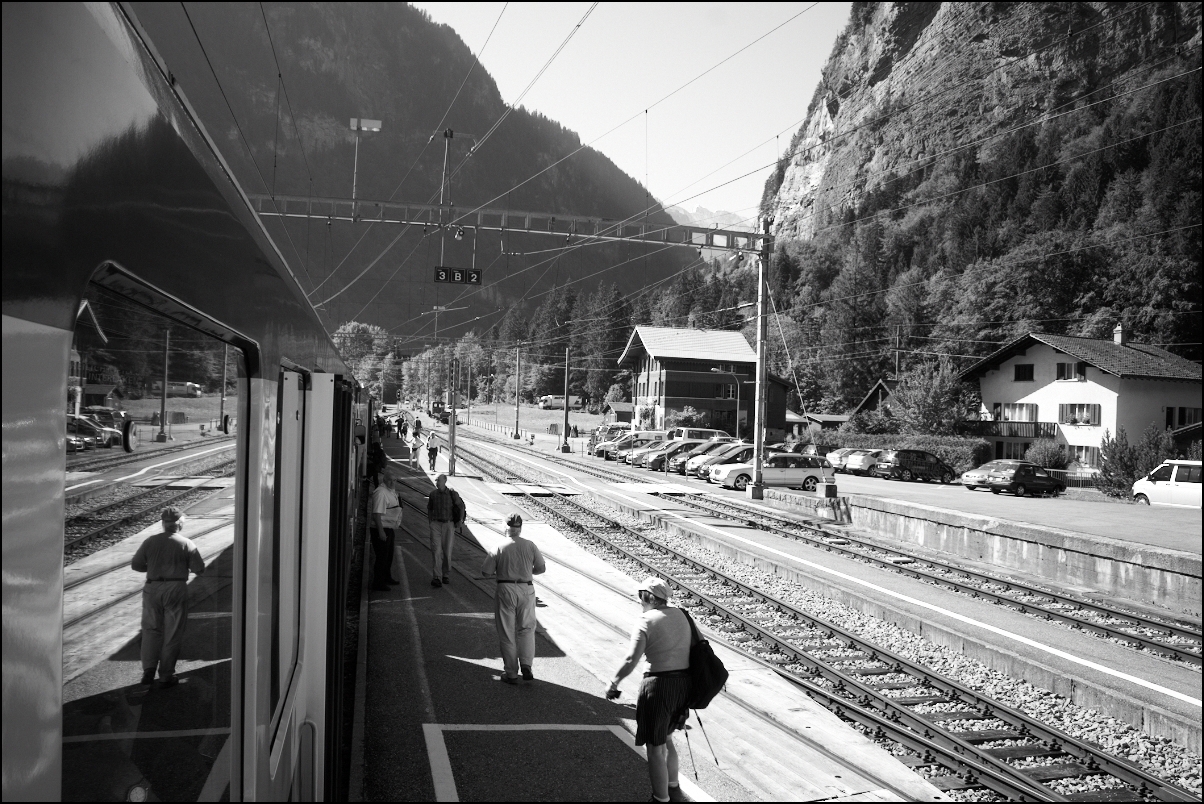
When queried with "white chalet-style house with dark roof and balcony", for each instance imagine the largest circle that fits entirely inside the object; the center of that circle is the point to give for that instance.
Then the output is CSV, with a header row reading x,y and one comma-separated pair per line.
x,y
1075,389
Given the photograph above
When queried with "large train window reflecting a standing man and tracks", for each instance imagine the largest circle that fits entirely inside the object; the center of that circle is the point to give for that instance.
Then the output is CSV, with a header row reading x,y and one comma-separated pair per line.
x,y
149,660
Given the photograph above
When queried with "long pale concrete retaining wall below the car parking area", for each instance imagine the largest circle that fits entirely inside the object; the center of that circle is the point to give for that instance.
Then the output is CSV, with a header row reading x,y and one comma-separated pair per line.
x,y
1168,580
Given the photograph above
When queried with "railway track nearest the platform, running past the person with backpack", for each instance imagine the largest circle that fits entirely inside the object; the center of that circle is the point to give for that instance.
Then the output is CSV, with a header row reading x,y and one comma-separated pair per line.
x,y
960,740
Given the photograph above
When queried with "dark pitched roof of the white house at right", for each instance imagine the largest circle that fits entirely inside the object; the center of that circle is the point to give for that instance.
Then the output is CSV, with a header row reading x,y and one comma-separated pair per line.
x,y
1131,360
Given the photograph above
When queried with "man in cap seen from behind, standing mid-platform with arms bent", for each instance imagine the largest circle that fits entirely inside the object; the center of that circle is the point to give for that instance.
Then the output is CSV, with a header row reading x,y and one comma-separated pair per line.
x,y
512,564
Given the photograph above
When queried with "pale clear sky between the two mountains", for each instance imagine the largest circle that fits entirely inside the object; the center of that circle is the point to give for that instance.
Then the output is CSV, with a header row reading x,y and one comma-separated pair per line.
x,y
628,57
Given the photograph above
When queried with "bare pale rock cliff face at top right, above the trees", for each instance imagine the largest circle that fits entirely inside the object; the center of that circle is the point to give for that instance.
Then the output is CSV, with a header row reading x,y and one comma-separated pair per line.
x,y
910,82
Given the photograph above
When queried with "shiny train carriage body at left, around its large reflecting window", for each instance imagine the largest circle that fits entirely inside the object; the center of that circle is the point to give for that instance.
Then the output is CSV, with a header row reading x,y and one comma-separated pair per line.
x,y
113,185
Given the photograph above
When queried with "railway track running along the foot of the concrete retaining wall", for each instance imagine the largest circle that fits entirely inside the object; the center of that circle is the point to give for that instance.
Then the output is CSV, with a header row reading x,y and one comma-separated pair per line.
x,y
1175,640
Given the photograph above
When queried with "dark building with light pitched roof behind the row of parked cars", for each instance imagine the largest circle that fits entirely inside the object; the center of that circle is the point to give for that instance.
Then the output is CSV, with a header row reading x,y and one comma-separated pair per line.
x,y
676,368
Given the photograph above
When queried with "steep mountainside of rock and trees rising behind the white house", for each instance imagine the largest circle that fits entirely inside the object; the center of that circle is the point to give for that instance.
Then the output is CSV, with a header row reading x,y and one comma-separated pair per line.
x,y
969,173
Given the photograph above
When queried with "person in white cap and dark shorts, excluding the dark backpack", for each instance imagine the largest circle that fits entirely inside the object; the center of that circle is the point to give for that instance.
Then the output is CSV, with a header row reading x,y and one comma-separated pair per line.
x,y
663,634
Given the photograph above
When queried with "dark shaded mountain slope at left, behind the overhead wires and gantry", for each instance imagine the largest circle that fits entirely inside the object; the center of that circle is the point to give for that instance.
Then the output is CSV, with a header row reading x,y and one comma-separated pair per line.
x,y
389,62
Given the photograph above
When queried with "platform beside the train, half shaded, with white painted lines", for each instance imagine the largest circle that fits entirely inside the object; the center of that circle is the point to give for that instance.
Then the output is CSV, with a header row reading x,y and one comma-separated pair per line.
x,y
440,724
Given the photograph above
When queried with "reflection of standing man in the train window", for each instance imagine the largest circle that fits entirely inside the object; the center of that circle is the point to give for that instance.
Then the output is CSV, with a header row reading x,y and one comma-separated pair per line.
x,y
167,559
